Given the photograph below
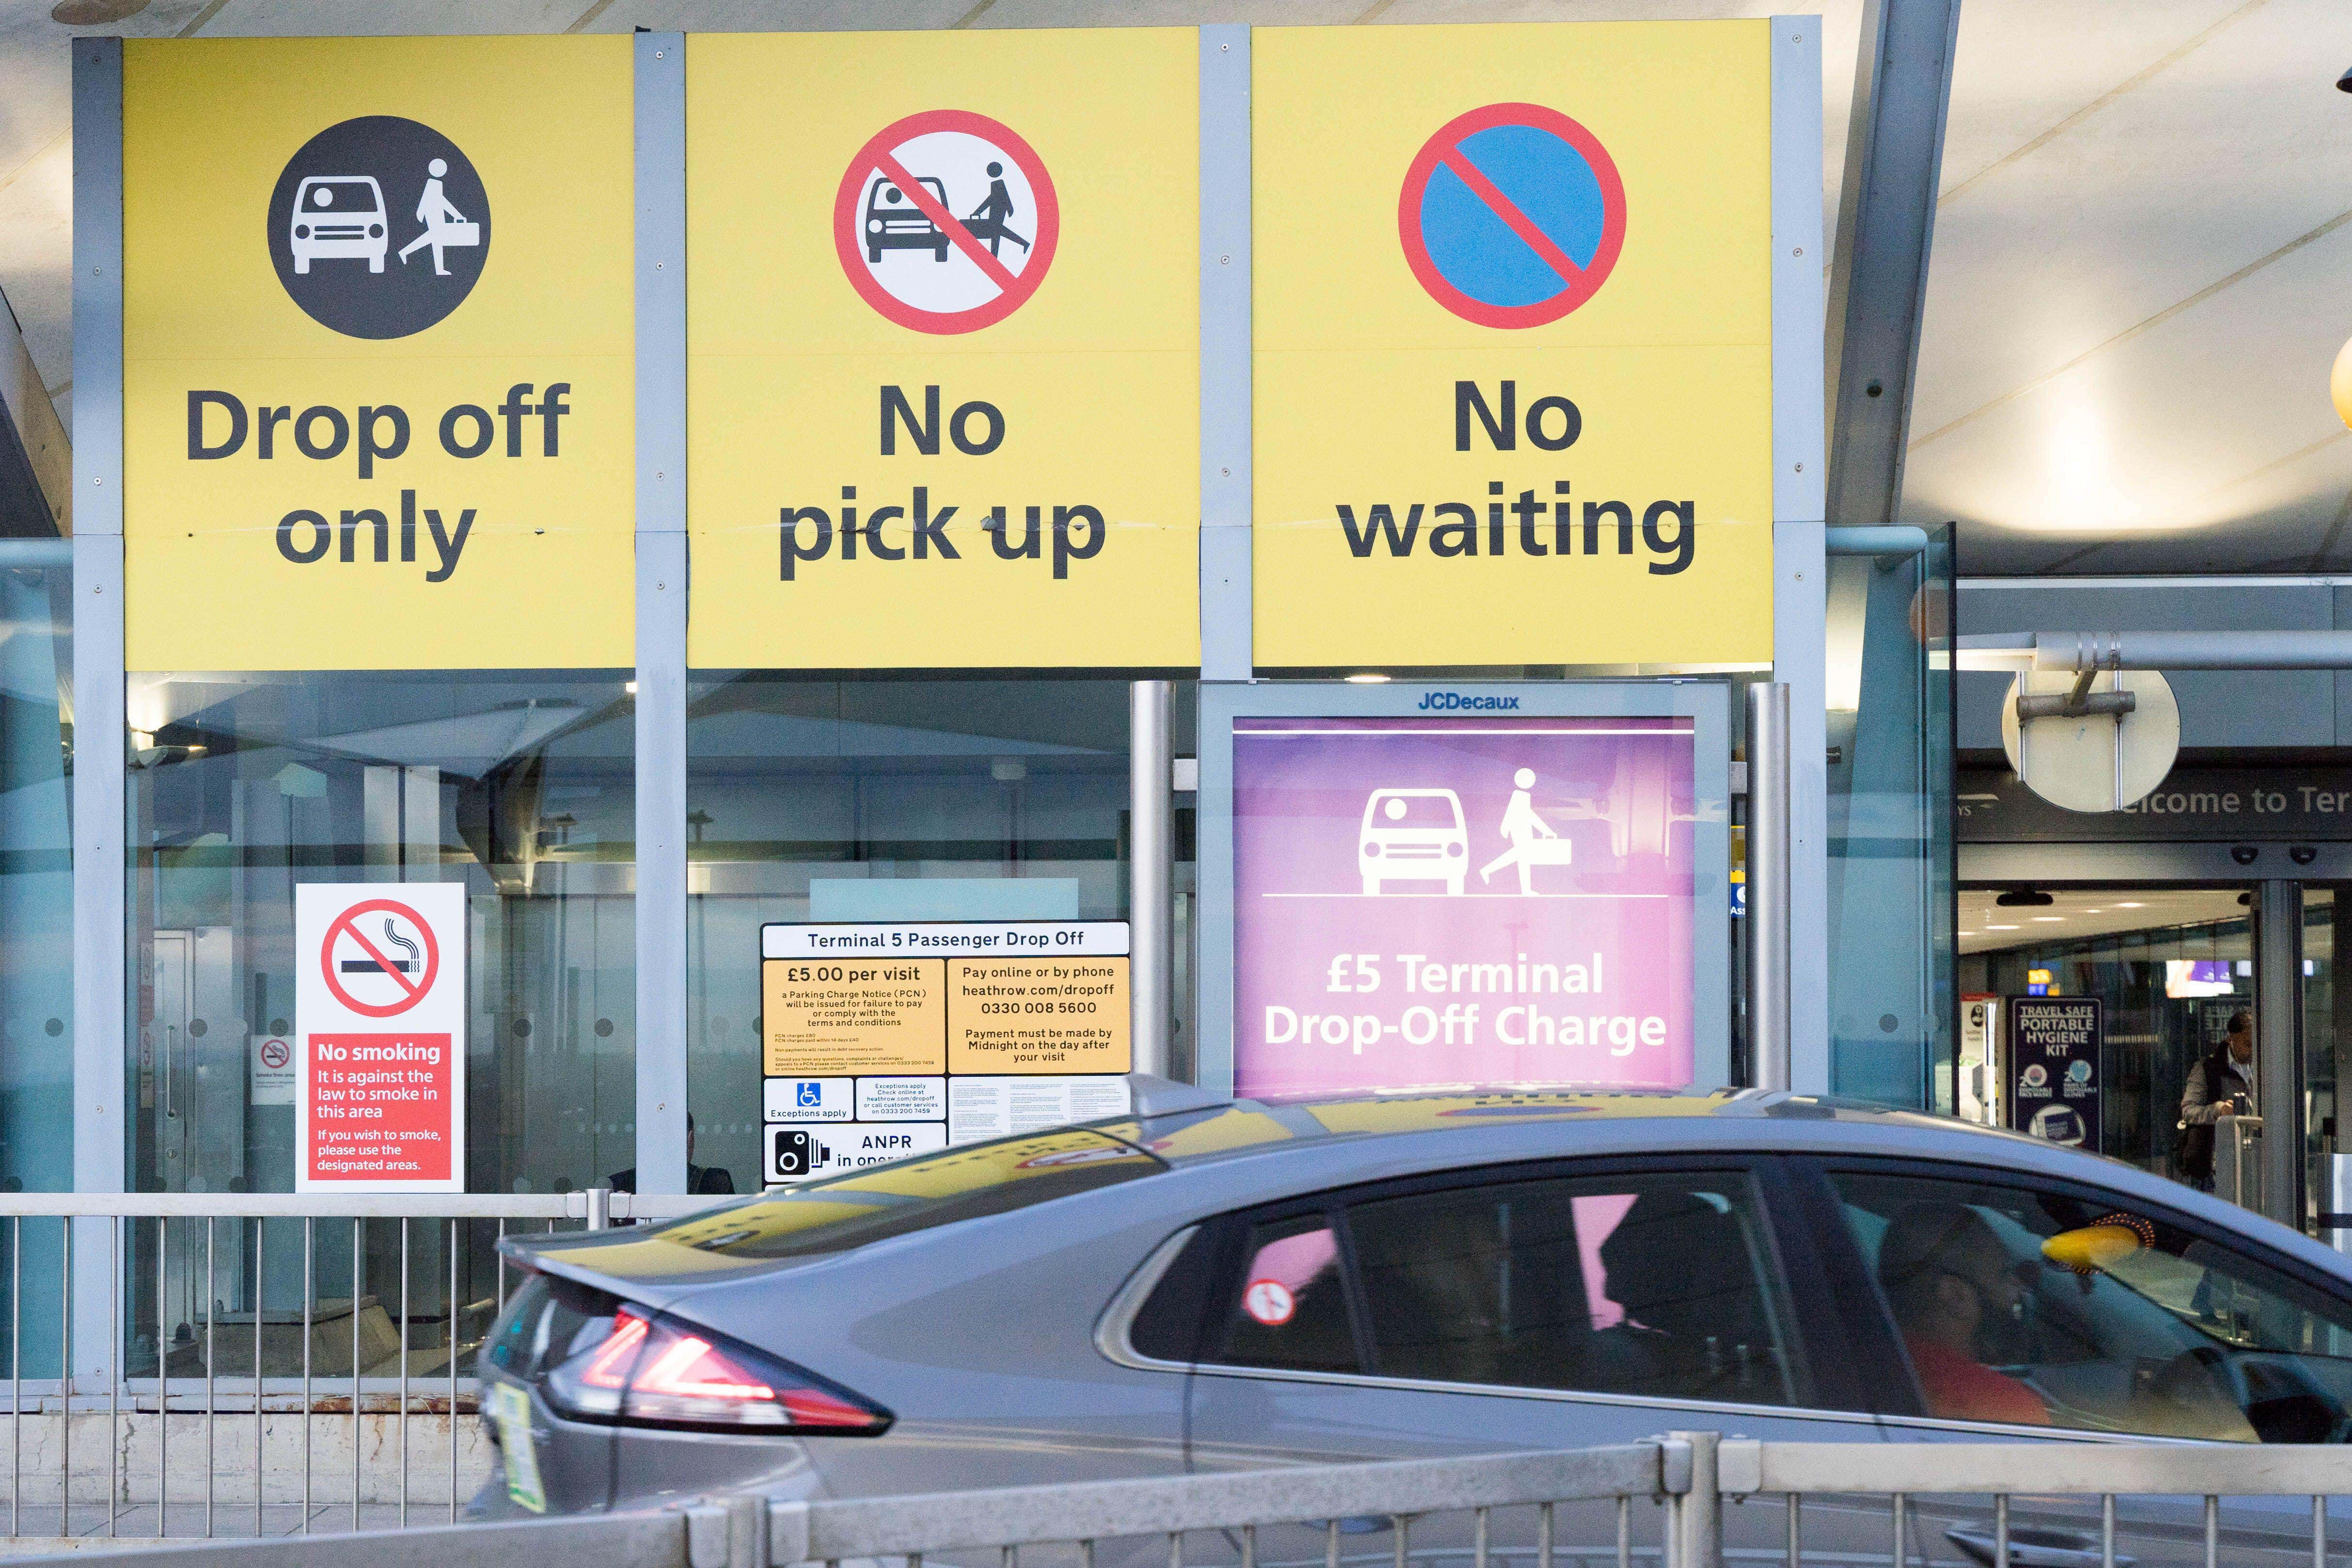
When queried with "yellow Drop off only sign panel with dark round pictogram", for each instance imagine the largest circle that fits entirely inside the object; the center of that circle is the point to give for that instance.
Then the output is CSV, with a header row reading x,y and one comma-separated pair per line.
x,y
380,363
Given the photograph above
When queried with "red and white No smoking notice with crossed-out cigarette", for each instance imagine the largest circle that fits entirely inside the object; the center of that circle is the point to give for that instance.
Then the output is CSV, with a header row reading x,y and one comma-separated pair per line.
x,y
380,1038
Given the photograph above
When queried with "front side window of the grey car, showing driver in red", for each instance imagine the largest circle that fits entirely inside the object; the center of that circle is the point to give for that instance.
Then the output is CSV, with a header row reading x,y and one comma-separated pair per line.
x,y
2047,1306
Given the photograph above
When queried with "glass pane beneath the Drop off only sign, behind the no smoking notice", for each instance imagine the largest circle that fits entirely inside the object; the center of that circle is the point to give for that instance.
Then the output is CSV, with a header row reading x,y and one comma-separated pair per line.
x,y
521,786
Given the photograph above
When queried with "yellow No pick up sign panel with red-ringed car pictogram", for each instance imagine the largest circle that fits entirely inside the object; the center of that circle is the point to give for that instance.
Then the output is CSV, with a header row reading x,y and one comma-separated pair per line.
x,y
944,302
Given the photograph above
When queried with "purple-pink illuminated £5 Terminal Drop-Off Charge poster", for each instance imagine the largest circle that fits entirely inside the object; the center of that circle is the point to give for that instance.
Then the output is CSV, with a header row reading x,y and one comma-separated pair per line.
x,y
1462,902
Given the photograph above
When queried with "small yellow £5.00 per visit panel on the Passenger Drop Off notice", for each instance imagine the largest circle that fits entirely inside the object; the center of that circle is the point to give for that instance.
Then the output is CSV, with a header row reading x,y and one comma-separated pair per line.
x,y
850,1017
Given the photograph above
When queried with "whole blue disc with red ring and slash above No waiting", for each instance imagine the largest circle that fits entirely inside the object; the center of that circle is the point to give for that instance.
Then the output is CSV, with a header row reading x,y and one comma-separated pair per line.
x,y
1511,215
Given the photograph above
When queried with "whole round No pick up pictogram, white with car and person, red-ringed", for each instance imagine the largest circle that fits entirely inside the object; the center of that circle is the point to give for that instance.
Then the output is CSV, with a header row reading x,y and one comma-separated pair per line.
x,y
947,222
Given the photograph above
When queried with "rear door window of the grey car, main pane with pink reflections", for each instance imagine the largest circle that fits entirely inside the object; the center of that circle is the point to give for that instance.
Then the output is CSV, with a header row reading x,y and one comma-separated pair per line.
x,y
1648,1285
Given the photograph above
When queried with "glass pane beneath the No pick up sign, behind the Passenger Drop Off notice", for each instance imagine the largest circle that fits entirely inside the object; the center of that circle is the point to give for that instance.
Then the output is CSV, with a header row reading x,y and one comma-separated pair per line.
x,y
822,800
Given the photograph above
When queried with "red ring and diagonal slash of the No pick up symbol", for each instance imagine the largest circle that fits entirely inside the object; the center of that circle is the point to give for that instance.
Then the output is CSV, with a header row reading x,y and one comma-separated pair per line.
x,y
878,156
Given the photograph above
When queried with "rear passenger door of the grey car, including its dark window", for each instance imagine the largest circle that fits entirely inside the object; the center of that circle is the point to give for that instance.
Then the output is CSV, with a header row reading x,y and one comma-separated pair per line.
x,y
1549,1306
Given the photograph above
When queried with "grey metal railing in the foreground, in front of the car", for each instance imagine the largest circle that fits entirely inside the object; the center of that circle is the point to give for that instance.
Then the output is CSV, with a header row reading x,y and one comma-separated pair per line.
x,y
1459,1510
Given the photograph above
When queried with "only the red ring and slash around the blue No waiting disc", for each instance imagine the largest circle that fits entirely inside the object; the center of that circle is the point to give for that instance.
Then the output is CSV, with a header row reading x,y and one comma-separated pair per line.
x,y
1443,152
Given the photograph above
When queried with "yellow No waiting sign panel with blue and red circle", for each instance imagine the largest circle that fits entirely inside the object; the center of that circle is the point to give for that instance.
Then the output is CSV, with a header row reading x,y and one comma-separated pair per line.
x,y
1514,344
